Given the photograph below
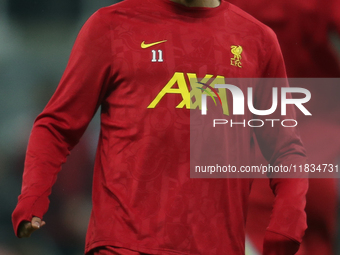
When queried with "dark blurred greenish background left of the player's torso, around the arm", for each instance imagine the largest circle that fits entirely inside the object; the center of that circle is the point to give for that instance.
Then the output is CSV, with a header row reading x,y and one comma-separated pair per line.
x,y
36,38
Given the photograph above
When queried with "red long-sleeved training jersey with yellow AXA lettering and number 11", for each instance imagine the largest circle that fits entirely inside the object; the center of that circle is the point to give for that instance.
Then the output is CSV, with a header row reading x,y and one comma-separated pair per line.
x,y
143,196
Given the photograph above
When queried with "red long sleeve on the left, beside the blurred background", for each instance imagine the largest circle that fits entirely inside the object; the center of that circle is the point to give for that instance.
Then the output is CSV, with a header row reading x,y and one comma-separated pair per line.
x,y
59,127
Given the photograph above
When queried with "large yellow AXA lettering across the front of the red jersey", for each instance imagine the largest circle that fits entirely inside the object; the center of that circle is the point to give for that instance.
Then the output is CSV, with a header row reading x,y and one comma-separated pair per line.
x,y
193,99
